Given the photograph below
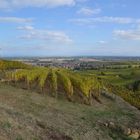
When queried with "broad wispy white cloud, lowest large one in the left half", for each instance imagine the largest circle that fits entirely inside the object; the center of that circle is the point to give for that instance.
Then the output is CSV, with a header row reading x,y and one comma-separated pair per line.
x,y
46,35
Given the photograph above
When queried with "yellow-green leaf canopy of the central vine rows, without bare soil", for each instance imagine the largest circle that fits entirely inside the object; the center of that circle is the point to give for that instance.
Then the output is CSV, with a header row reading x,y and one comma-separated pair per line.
x,y
73,83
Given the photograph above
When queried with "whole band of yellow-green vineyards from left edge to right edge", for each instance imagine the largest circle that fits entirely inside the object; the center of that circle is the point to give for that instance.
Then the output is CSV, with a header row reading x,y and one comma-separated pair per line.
x,y
76,86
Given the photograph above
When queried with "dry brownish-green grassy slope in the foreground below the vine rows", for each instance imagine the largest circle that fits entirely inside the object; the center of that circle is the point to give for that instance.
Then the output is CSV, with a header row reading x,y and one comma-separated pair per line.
x,y
27,115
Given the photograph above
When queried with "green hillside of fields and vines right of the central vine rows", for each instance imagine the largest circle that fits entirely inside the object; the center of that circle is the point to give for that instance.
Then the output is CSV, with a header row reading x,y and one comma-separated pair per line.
x,y
124,82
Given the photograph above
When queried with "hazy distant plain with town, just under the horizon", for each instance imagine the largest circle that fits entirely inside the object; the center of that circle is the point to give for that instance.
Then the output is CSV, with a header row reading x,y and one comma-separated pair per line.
x,y
79,63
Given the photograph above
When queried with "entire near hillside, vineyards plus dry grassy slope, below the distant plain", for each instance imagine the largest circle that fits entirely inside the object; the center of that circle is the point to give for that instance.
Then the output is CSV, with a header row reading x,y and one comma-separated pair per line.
x,y
33,102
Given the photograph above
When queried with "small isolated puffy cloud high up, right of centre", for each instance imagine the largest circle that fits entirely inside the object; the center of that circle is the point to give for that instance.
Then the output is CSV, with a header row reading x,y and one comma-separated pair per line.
x,y
88,11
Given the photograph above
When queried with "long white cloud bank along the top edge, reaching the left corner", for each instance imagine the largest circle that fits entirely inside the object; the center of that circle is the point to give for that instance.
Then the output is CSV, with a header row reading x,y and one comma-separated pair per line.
x,y
12,4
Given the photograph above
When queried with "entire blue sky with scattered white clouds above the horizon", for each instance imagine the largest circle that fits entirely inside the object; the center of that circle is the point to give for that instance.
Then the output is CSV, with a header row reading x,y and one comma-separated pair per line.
x,y
69,28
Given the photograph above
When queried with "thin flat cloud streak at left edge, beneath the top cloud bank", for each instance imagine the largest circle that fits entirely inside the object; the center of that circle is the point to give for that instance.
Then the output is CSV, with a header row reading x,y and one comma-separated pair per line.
x,y
15,20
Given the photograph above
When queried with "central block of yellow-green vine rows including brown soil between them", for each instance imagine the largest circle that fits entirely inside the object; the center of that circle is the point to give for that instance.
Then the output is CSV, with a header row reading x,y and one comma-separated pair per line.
x,y
56,81
